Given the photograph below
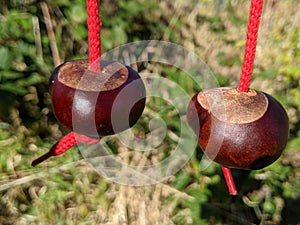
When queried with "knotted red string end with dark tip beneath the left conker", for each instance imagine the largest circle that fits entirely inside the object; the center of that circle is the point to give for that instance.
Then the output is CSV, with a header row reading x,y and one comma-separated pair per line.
x,y
64,144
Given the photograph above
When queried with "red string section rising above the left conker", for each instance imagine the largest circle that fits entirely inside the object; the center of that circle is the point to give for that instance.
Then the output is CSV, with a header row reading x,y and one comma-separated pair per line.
x,y
94,26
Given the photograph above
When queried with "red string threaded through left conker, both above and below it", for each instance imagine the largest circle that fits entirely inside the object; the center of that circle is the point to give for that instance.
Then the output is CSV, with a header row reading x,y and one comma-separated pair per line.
x,y
94,25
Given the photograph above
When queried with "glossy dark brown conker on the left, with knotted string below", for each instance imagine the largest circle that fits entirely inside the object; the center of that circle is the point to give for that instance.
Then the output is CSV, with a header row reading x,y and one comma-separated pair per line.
x,y
83,100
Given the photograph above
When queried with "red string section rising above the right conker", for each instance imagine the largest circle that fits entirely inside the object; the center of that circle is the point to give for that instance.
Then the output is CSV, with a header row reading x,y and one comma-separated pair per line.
x,y
251,39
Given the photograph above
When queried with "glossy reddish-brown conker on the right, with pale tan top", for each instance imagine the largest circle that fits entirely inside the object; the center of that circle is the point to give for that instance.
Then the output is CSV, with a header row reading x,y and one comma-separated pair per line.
x,y
245,130
